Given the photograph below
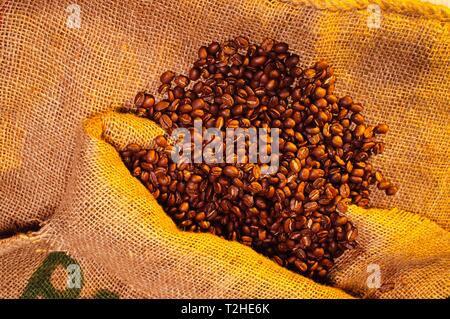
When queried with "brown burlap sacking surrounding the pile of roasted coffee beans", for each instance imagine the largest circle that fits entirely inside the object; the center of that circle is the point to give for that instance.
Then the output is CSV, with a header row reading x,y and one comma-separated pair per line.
x,y
72,181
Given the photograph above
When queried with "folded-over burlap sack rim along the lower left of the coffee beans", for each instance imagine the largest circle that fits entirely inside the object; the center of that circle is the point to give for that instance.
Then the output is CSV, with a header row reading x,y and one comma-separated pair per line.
x,y
105,207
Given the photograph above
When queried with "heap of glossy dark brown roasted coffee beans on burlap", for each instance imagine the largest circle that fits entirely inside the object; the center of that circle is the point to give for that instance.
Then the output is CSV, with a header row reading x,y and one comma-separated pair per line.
x,y
296,215
